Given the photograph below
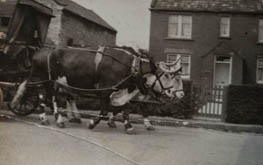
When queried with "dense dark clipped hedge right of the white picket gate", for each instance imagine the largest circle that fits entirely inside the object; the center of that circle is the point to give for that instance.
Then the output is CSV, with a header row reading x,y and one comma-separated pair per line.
x,y
244,104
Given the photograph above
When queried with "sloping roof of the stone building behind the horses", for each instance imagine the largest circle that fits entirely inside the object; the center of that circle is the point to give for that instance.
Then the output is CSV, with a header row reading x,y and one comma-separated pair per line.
x,y
84,13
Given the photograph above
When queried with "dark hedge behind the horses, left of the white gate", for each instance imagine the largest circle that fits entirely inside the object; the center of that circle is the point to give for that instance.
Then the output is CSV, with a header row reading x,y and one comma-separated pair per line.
x,y
181,109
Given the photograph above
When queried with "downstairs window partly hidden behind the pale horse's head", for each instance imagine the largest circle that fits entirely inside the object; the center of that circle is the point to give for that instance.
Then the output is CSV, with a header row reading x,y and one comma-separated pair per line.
x,y
185,62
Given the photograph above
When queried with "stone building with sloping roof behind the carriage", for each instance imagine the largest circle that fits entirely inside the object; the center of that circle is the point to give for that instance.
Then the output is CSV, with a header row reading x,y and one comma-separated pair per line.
x,y
72,24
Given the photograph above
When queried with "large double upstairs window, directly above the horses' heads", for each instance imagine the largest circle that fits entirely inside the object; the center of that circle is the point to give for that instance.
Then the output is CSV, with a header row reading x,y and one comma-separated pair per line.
x,y
180,26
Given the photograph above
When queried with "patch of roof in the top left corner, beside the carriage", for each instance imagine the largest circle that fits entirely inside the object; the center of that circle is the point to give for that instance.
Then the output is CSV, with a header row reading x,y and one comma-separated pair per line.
x,y
7,8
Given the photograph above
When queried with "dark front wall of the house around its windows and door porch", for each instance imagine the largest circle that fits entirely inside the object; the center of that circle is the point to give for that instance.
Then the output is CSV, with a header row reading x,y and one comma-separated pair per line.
x,y
205,36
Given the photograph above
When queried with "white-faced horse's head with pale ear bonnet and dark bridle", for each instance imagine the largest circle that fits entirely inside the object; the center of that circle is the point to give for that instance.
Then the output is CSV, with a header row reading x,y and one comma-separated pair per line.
x,y
166,79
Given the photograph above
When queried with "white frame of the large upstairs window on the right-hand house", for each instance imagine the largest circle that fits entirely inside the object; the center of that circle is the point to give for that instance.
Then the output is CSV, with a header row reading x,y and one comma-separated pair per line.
x,y
179,27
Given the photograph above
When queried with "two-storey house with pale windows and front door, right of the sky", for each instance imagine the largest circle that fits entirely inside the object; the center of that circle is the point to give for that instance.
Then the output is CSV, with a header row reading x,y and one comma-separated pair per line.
x,y
220,41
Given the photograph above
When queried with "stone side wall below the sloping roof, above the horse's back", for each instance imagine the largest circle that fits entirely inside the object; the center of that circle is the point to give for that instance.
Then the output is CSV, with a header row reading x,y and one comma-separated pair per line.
x,y
84,32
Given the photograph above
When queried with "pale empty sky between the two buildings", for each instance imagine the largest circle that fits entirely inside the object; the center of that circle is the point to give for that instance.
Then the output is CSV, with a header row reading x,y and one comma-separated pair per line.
x,y
131,18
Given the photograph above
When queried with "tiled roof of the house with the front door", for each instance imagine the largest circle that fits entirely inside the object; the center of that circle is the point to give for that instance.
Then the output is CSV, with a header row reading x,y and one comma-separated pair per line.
x,y
248,6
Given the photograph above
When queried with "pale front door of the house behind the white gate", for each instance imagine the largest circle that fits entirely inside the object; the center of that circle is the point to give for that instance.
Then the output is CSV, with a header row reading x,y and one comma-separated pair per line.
x,y
222,74
